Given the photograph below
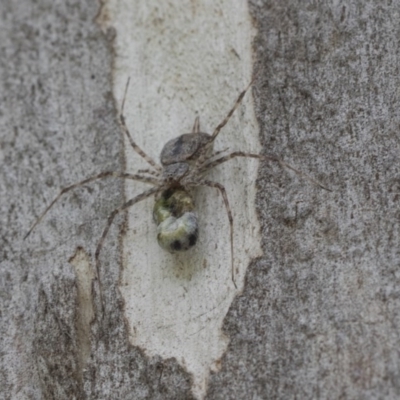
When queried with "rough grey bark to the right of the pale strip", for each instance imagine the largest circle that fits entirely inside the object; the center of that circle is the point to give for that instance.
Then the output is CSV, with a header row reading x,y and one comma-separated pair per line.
x,y
319,317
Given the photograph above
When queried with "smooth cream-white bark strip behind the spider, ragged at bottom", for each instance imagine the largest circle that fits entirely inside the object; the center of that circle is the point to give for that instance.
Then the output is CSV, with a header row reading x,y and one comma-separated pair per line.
x,y
186,59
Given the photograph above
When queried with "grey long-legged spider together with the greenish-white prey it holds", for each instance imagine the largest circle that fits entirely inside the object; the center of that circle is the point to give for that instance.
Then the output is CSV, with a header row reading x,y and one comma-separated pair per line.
x,y
184,161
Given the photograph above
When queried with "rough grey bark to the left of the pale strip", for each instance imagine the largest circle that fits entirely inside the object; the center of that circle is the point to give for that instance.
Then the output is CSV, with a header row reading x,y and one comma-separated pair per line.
x,y
59,126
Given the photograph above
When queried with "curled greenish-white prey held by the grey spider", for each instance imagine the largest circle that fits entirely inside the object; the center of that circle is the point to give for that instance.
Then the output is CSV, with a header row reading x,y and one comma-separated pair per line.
x,y
174,213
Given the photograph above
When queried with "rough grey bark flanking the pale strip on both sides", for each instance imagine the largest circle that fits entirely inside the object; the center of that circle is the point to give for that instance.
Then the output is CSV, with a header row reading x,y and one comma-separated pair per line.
x,y
318,317
